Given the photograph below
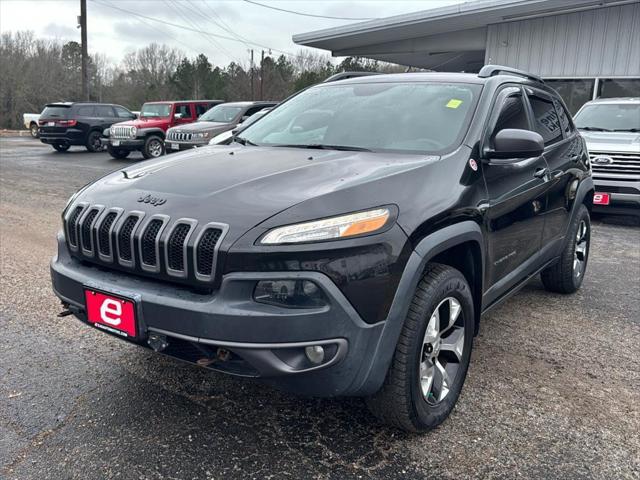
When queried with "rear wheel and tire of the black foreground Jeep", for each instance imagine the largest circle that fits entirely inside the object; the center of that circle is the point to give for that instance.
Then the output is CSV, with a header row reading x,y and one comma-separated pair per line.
x,y
567,274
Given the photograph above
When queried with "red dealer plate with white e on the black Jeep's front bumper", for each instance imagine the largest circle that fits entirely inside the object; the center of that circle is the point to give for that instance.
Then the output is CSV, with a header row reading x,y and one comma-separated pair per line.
x,y
111,313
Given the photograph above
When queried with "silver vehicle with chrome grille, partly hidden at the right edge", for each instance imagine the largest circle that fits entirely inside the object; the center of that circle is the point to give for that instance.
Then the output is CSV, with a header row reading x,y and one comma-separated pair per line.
x,y
611,128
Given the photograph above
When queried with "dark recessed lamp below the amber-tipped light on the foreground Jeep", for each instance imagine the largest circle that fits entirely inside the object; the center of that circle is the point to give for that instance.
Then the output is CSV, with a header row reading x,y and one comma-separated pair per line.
x,y
289,293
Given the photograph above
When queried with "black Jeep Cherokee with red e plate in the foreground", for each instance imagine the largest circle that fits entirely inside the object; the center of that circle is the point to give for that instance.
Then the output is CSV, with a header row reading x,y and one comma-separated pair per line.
x,y
346,244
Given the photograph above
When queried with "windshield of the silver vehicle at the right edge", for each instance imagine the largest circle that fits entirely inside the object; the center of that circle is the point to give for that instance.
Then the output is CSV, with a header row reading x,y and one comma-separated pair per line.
x,y
617,117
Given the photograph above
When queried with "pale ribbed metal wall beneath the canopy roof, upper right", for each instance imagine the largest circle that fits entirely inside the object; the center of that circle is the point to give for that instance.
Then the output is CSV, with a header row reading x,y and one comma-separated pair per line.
x,y
595,43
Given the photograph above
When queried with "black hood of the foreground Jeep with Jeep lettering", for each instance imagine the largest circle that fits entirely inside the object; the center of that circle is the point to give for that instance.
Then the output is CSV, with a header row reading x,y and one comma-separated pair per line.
x,y
243,186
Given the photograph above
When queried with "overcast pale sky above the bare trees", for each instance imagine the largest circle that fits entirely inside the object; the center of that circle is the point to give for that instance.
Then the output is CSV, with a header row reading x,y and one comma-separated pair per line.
x,y
116,32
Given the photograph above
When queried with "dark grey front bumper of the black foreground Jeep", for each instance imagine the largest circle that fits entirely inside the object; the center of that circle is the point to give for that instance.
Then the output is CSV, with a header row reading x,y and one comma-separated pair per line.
x,y
263,340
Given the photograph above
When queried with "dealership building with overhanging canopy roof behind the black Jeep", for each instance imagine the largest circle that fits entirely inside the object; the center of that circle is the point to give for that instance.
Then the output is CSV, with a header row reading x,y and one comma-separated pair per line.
x,y
584,48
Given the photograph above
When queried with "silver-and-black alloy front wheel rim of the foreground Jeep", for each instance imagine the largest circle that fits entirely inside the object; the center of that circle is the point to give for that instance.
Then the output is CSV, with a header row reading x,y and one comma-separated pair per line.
x,y
442,349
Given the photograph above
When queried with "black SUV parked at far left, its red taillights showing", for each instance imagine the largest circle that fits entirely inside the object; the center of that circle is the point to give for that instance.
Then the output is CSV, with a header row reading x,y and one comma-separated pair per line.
x,y
79,123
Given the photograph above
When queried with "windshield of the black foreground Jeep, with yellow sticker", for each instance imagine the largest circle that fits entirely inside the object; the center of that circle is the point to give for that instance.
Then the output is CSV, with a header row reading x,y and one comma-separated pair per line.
x,y
400,117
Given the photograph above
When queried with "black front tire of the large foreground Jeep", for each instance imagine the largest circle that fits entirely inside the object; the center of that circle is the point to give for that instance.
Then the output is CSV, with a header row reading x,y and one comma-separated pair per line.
x,y
401,402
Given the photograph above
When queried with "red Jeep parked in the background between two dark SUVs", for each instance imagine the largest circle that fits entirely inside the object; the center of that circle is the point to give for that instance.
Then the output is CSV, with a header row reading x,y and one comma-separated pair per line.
x,y
146,134
